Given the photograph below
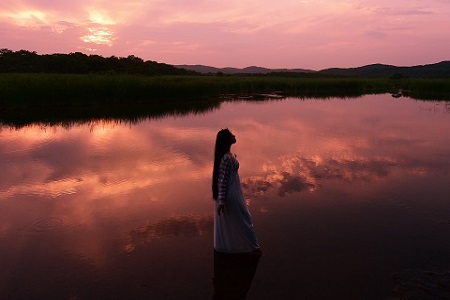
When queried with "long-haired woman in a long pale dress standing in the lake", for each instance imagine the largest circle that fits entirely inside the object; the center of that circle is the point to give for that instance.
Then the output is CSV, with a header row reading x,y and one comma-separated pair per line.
x,y
233,226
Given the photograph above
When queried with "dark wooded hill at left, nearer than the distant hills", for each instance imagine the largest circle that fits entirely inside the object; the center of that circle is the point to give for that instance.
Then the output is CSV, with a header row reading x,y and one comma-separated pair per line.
x,y
24,61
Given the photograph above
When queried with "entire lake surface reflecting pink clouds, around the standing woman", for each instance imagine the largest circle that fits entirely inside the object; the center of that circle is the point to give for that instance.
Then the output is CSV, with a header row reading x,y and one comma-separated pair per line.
x,y
349,197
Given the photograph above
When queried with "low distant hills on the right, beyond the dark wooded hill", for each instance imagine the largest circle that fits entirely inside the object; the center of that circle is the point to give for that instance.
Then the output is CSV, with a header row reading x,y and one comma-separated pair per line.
x,y
441,69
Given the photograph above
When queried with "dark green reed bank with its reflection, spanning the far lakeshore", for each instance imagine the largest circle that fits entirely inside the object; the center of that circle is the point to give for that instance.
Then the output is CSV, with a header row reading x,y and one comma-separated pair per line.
x,y
28,97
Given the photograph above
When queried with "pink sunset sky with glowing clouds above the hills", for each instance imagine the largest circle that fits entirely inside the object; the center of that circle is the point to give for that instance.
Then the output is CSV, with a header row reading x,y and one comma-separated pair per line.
x,y
311,34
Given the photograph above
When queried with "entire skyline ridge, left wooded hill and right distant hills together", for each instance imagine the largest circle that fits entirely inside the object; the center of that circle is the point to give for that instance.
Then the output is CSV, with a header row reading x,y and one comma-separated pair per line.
x,y
24,61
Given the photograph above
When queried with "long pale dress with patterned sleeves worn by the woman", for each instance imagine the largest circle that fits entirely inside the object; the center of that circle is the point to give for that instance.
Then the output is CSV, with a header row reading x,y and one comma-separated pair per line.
x,y
233,229
